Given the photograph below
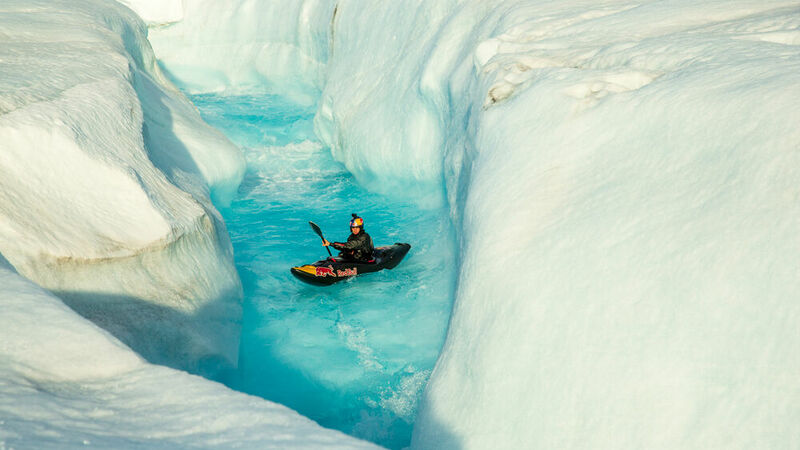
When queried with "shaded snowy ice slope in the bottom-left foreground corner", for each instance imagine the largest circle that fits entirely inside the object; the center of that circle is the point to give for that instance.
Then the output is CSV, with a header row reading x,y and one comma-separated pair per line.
x,y
65,383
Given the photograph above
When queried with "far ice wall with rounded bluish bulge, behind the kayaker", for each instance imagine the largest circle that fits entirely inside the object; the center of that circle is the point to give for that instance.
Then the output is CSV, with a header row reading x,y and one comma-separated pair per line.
x,y
361,61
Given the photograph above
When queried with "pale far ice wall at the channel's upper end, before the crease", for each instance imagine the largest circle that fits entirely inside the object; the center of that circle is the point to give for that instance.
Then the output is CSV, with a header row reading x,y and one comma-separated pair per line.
x,y
245,45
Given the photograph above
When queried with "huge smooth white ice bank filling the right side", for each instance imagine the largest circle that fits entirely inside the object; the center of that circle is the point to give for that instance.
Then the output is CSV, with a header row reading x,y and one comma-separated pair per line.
x,y
639,172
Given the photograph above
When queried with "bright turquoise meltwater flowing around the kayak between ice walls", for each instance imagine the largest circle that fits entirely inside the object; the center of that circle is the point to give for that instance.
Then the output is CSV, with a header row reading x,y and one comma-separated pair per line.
x,y
354,356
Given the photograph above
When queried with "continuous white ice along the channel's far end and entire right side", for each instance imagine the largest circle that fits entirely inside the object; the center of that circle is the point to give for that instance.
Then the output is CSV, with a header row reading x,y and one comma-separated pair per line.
x,y
625,176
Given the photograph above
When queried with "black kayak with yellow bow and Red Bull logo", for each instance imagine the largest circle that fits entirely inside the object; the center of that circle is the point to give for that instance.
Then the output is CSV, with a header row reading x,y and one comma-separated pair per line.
x,y
331,270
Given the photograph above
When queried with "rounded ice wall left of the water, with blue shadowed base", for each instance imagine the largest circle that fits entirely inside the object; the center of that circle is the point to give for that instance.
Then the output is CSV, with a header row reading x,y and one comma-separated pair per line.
x,y
105,176
